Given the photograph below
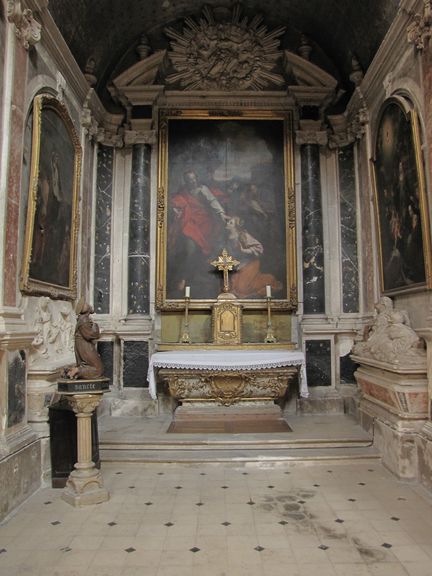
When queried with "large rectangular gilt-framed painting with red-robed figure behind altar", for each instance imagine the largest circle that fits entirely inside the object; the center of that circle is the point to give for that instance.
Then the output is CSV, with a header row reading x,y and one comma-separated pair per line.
x,y
226,182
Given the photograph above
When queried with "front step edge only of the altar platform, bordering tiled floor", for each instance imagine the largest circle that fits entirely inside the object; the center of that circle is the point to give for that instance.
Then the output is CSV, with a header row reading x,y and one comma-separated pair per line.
x,y
257,456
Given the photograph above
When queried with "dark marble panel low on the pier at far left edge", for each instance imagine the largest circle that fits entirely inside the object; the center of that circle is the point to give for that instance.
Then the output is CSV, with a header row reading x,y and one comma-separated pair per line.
x,y
16,388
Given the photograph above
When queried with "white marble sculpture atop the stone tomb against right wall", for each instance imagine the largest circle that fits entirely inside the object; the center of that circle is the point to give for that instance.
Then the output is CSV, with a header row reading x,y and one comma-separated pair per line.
x,y
390,338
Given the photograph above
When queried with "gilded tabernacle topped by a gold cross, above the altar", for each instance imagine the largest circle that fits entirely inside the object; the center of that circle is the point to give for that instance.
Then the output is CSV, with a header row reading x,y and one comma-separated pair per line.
x,y
227,311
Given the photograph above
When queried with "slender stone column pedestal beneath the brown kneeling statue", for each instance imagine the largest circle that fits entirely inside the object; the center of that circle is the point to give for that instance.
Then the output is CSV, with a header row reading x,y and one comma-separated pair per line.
x,y
84,485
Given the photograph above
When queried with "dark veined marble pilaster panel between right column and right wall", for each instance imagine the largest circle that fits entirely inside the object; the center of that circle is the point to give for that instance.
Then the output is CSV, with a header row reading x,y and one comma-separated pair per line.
x,y
348,210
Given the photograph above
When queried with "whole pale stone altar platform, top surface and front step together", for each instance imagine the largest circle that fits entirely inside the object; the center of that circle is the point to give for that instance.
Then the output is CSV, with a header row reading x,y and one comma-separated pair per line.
x,y
313,438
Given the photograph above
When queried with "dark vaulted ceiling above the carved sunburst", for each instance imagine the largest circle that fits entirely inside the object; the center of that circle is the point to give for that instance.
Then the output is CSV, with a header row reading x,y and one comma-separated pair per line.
x,y
108,31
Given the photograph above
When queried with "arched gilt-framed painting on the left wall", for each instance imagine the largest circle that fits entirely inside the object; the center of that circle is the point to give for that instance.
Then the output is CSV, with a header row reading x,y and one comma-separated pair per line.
x,y
49,261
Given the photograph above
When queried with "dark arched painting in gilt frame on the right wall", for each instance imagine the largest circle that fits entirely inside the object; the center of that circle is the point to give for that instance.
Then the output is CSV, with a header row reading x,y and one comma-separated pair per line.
x,y
400,200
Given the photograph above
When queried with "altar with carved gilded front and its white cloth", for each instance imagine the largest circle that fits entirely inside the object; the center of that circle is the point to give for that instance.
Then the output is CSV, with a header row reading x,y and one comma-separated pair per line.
x,y
227,376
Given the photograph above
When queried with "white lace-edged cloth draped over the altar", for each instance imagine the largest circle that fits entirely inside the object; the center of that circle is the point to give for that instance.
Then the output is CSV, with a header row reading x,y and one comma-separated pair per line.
x,y
227,360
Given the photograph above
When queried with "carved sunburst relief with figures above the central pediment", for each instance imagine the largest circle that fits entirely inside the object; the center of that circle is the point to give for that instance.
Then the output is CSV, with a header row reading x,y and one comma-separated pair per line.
x,y
213,55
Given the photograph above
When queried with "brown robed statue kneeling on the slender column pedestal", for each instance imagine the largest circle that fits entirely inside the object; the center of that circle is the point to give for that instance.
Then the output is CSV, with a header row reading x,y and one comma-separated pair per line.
x,y
88,361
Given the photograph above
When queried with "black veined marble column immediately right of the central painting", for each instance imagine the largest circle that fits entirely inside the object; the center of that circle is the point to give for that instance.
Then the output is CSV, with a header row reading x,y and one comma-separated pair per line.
x,y
312,223
